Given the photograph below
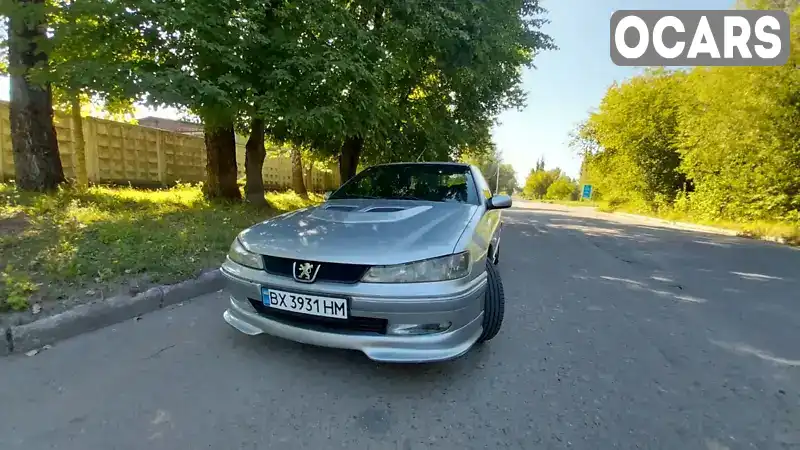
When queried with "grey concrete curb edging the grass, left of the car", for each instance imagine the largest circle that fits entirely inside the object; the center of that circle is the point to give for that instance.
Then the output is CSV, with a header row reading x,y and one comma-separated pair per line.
x,y
93,316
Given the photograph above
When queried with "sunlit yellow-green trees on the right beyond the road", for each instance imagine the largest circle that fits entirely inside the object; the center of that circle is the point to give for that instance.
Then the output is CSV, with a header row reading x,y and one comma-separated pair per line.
x,y
720,143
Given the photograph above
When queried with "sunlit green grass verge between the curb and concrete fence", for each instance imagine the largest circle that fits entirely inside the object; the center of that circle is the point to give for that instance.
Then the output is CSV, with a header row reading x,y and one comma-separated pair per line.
x,y
55,245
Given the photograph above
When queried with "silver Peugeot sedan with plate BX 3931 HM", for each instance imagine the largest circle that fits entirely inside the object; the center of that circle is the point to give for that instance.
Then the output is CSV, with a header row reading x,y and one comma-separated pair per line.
x,y
398,263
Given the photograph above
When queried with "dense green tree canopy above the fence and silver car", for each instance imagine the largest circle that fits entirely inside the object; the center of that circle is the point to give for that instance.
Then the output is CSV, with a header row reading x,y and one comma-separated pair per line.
x,y
371,80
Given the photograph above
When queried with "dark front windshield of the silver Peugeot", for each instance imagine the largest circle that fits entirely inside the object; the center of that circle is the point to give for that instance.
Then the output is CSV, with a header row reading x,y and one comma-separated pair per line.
x,y
430,182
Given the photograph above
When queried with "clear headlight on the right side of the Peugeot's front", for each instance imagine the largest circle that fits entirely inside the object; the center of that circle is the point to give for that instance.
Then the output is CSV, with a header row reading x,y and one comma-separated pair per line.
x,y
445,268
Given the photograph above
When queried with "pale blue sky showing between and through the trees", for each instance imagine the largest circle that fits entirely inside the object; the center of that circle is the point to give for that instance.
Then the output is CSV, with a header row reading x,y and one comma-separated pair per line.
x,y
566,85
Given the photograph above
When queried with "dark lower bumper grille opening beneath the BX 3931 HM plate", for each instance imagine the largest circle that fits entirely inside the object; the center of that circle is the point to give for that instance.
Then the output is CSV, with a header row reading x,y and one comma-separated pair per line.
x,y
351,324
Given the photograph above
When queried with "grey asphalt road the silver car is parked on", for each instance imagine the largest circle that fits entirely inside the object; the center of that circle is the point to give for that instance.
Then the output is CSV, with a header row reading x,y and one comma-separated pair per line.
x,y
617,335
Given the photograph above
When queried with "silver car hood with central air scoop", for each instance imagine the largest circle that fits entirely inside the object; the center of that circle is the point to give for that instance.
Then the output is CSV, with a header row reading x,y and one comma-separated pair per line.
x,y
370,232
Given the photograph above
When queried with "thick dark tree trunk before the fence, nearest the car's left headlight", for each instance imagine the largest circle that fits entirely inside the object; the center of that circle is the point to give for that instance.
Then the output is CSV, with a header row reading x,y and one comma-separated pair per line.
x,y
221,162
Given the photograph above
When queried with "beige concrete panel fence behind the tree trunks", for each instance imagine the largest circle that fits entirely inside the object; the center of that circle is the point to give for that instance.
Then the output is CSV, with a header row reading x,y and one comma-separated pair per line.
x,y
118,152
